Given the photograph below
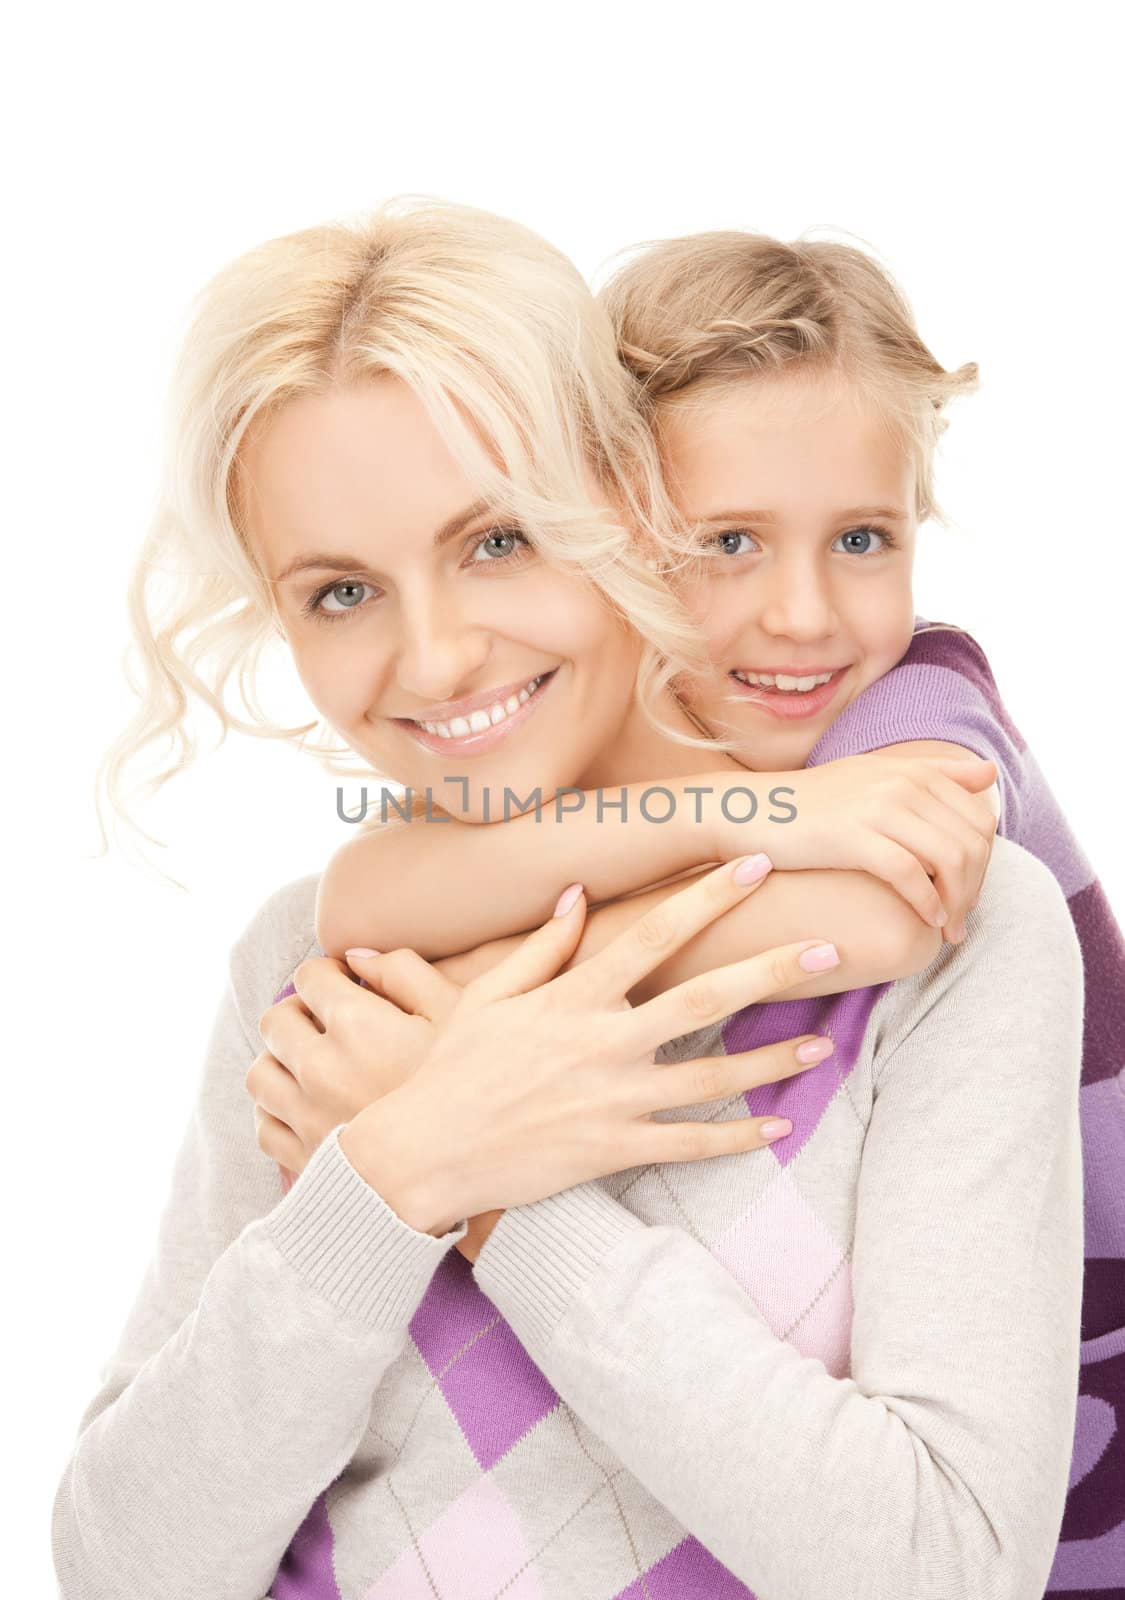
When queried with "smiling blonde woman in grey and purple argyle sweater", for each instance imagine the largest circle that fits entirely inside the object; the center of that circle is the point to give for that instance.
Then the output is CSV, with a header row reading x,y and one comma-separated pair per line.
x,y
313,1396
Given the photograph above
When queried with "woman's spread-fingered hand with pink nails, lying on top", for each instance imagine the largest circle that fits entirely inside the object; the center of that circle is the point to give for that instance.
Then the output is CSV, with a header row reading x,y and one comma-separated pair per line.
x,y
537,1086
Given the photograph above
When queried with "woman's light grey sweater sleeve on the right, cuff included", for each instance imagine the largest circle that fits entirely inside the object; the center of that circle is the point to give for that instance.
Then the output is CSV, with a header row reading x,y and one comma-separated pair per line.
x,y
939,1466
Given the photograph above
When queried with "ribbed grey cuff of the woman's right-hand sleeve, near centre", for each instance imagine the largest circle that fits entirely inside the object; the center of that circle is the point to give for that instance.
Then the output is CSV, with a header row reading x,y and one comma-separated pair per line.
x,y
540,1257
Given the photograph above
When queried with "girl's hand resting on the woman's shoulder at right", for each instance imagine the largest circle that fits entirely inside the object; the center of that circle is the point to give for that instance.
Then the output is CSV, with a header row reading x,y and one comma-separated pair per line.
x,y
916,822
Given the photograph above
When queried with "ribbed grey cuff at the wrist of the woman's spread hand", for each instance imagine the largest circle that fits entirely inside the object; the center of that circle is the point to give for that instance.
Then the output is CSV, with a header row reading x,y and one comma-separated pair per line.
x,y
343,1238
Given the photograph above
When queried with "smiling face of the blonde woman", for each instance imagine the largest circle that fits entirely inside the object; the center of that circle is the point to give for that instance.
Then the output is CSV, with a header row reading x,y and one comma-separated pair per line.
x,y
426,631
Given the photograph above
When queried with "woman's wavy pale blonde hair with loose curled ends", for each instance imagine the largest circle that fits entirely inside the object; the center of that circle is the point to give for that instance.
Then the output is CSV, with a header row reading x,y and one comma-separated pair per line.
x,y
502,340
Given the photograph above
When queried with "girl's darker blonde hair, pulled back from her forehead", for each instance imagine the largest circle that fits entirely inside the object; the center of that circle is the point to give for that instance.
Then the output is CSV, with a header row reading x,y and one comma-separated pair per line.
x,y
705,311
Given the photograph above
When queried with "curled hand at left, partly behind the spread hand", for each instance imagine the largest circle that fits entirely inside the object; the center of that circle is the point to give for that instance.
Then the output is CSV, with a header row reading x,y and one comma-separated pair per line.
x,y
310,1081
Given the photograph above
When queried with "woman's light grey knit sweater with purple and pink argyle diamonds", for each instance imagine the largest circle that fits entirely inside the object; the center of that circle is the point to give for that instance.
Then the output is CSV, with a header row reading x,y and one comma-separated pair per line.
x,y
846,1369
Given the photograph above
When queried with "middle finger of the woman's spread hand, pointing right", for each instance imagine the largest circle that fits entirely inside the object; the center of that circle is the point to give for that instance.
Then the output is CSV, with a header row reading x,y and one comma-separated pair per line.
x,y
724,991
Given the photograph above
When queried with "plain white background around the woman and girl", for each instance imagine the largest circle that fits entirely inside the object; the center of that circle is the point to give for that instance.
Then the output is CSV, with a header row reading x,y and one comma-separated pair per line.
x,y
971,146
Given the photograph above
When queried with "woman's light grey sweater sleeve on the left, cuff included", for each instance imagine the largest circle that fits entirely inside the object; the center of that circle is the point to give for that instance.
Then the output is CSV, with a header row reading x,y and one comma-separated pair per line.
x,y
262,1324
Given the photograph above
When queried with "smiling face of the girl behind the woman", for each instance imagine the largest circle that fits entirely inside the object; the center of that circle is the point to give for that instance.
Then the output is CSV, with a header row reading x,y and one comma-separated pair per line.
x,y
807,510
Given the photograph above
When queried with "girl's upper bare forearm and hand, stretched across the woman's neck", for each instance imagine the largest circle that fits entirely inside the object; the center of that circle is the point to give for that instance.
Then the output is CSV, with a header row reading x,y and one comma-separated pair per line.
x,y
444,887
